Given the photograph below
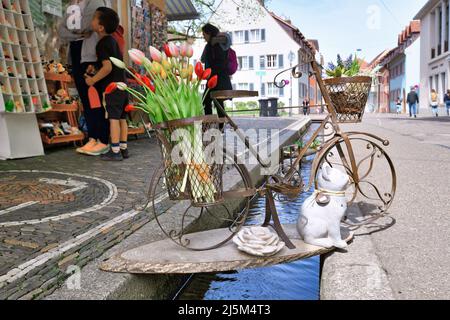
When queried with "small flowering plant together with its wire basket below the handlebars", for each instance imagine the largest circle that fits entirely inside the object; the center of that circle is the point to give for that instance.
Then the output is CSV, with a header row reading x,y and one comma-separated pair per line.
x,y
348,88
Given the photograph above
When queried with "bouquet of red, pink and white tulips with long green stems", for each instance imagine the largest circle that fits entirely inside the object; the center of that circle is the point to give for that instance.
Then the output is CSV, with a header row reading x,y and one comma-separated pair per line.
x,y
171,92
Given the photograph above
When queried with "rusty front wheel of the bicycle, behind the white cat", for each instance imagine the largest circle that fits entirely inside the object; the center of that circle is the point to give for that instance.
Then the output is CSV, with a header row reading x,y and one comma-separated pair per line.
x,y
373,178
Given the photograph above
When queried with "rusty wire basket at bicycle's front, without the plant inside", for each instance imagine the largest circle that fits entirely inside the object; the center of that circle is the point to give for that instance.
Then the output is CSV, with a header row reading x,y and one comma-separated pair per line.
x,y
349,96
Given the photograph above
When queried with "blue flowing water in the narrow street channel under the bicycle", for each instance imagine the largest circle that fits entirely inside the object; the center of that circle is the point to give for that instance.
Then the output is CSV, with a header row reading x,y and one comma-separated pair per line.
x,y
299,280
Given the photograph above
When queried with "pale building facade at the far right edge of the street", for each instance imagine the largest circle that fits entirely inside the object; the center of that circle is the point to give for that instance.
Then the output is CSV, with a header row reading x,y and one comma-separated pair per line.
x,y
434,49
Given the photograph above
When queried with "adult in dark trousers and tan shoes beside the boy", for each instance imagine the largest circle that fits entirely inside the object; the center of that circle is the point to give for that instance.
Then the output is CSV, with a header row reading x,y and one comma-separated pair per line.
x,y
76,30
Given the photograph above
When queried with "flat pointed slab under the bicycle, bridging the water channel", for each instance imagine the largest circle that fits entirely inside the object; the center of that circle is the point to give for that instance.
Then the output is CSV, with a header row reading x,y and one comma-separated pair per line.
x,y
166,257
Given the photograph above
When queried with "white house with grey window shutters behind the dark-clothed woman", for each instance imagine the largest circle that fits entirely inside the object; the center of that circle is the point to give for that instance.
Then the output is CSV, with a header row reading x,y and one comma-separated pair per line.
x,y
265,45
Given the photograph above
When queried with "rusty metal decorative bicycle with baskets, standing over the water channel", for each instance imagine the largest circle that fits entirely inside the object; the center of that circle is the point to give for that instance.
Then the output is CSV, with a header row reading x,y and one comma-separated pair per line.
x,y
186,184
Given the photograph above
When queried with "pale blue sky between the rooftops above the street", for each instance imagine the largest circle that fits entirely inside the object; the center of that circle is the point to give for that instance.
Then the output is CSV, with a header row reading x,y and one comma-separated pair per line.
x,y
343,26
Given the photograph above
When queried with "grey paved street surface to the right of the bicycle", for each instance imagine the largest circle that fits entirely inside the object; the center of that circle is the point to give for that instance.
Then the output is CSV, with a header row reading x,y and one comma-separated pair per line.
x,y
413,255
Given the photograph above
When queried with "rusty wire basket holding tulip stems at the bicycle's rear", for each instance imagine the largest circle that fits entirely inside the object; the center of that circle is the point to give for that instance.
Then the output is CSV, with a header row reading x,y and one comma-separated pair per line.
x,y
189,173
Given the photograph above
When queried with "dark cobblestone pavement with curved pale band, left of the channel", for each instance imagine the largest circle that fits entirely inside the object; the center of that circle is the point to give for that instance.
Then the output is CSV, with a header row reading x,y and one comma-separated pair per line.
x,y
47,201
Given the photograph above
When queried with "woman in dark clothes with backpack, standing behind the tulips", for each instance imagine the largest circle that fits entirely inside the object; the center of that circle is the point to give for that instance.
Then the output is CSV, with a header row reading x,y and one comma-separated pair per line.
x,y
215,56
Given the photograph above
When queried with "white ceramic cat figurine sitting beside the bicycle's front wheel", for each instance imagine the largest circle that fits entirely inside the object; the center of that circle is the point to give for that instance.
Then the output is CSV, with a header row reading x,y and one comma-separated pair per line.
x,y
319,223
